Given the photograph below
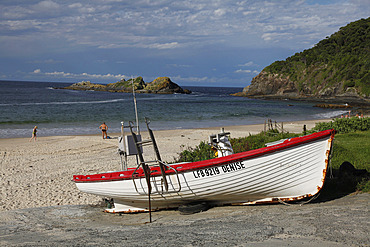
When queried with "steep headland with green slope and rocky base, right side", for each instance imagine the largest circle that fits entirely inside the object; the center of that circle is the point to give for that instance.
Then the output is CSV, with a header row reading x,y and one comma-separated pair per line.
x,y
336,70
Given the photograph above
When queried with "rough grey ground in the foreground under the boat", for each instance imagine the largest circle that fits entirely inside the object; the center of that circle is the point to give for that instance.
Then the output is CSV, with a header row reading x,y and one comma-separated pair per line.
x,y
340,222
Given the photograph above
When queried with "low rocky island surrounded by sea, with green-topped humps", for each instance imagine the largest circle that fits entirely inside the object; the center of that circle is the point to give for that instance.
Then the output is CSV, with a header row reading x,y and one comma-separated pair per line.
x,y
162,85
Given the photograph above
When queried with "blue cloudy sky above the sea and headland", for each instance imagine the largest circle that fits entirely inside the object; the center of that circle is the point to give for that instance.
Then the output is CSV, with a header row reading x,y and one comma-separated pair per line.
x,y
194,42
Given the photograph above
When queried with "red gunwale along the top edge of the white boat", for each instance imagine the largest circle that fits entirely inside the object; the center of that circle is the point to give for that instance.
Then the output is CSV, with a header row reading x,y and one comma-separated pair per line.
x,y
198,165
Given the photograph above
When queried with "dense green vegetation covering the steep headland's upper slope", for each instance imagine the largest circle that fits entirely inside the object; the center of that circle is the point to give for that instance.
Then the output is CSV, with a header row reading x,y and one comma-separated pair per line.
x,y
341,58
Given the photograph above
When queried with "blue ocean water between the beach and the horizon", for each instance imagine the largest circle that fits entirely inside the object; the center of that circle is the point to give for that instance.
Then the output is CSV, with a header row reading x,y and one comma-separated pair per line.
x,y
67,112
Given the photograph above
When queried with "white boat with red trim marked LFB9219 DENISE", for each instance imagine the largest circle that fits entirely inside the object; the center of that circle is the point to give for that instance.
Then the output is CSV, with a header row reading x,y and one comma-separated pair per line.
x,y
283,171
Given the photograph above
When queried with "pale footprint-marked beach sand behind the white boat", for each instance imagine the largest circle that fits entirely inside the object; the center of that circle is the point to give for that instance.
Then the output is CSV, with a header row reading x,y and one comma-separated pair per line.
x,y
39,174
